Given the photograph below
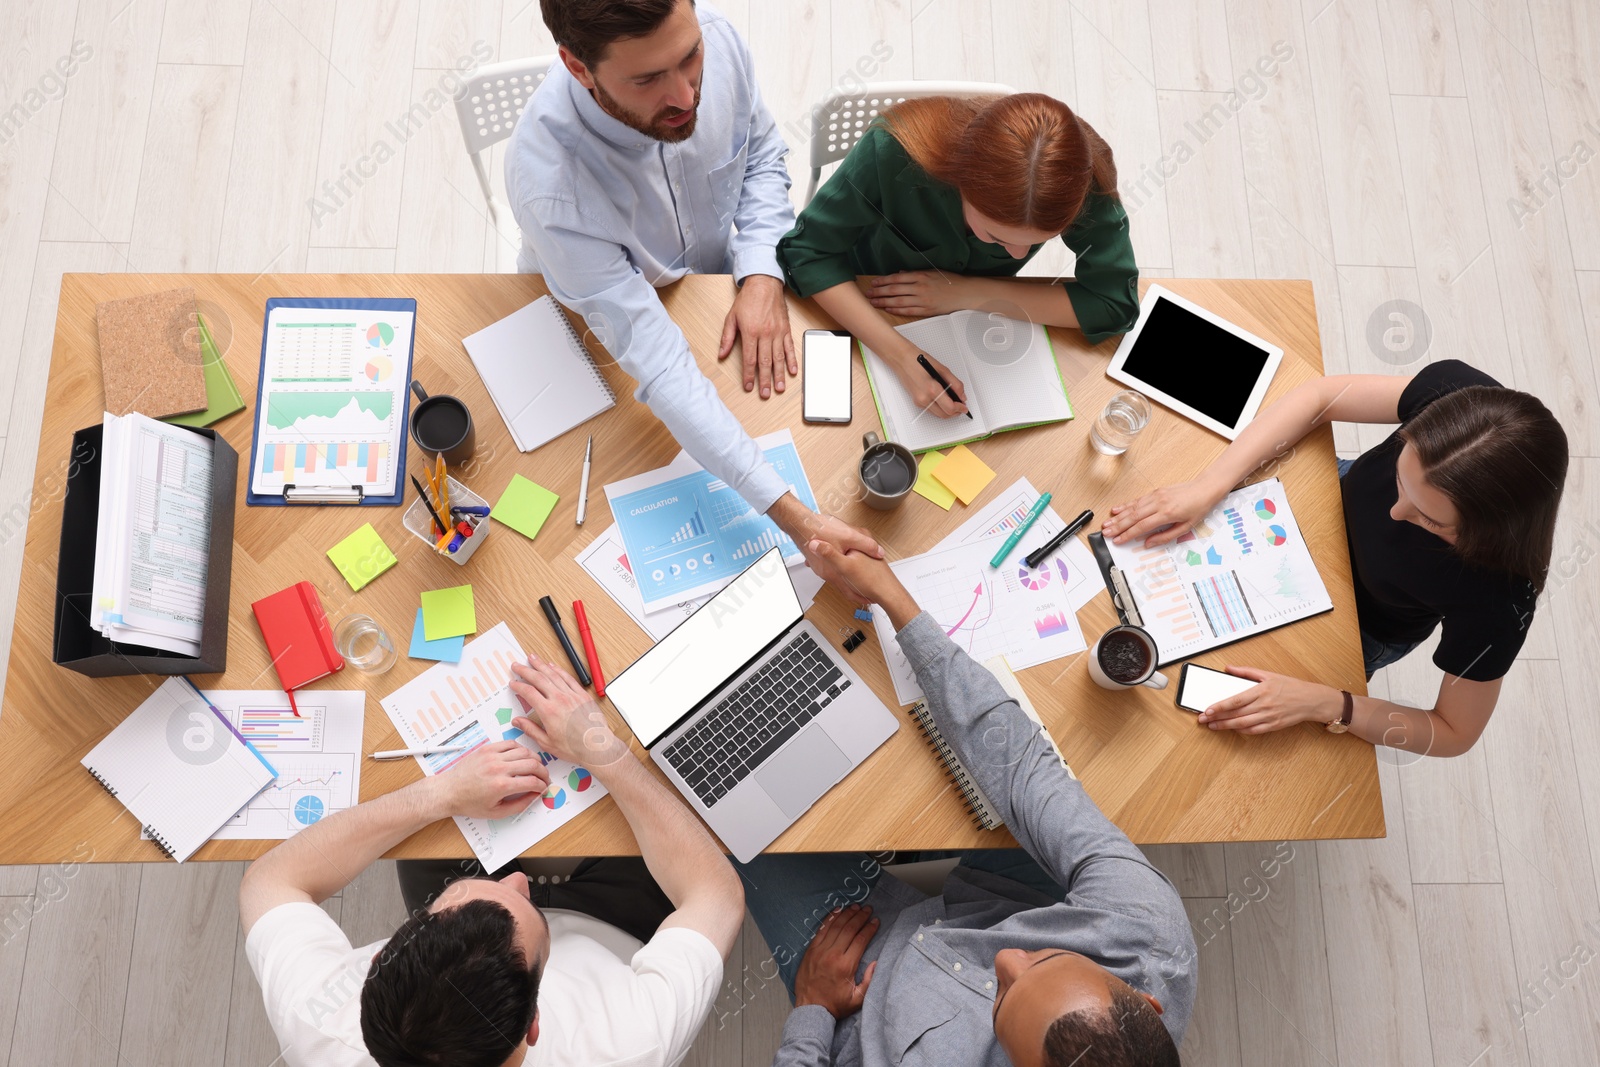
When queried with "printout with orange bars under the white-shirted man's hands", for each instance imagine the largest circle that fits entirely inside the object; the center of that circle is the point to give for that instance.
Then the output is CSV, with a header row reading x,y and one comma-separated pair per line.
x,y
471,705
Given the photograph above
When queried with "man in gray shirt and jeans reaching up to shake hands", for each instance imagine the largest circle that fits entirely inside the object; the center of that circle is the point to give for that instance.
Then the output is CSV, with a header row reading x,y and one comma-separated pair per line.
x,y
1074,951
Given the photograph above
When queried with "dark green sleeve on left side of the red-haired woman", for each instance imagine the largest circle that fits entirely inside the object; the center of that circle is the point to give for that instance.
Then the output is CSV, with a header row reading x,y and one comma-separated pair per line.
x,y
815,255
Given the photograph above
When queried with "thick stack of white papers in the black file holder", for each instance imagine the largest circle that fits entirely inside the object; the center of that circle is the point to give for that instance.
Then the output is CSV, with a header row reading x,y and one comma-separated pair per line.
x,y
154,535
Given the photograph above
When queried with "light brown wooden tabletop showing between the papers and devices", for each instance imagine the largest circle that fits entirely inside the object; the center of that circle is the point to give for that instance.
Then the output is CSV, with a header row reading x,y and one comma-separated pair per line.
x,y
1145,762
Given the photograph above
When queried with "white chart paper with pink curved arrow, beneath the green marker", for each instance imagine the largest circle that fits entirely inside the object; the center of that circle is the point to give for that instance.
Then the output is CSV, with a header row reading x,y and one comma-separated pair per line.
x,y
988,612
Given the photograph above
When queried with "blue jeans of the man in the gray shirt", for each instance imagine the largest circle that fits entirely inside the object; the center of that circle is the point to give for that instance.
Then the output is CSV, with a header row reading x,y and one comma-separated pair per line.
x,y
791,895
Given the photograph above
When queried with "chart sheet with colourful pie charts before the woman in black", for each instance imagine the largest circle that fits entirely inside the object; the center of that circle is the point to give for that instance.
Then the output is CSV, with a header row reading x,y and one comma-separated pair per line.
x,y
1241,572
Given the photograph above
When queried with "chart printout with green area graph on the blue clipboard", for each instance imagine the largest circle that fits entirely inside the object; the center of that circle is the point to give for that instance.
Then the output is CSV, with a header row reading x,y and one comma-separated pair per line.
x,y
332,407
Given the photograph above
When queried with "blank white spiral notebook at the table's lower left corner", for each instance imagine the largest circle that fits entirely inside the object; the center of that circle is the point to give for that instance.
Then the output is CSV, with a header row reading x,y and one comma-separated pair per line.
x,y
180,769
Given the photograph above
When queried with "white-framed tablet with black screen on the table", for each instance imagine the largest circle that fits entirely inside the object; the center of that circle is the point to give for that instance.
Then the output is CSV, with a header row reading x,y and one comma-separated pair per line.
x,y
1194,362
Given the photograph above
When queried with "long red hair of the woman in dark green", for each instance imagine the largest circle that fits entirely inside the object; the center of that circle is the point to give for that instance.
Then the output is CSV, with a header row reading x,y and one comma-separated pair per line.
x,y
1022,161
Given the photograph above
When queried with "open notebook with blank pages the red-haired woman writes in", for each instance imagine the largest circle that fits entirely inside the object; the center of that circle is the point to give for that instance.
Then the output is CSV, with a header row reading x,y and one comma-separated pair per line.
x,y
1009,370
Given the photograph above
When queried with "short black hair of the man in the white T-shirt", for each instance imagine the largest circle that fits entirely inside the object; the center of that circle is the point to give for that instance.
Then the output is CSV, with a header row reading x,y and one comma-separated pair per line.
x,y
450,988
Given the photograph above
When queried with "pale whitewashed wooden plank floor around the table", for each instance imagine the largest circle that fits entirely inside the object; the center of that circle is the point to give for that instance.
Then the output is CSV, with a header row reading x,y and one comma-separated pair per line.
x,y
1428,151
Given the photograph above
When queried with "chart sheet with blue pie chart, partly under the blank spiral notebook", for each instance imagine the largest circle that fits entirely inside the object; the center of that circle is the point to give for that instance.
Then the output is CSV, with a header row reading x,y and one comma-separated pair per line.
x,y
318,757
